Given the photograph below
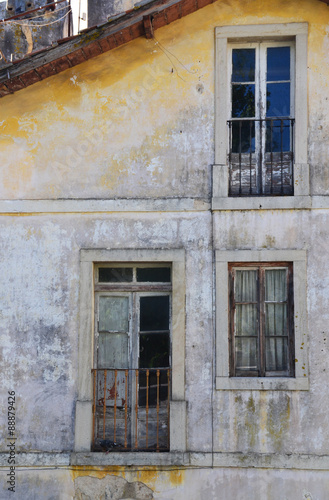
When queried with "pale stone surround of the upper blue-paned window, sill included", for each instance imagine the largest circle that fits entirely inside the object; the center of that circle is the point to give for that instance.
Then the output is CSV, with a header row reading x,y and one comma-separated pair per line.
x,y
225,35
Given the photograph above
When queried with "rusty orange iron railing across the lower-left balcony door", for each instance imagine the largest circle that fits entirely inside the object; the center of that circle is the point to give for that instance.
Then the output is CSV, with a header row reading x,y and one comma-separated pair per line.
x,y
131,409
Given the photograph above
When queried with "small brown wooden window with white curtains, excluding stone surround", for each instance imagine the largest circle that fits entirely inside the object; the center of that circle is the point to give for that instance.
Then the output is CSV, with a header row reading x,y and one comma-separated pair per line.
x,y
261,320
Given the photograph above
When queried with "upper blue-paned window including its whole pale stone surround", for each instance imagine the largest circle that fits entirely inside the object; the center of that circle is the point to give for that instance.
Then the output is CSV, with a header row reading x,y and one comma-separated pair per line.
x,y
261,117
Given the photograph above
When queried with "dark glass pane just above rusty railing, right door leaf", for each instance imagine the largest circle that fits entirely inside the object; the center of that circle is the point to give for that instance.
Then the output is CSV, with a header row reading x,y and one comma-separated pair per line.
x,y
154,350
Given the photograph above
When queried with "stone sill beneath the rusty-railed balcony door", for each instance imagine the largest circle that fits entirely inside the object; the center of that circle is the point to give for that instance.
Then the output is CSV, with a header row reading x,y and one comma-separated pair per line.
x,y
128,458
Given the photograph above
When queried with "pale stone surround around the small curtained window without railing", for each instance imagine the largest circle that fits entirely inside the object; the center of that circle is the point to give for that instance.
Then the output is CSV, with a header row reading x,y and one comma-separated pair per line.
x,y
223,379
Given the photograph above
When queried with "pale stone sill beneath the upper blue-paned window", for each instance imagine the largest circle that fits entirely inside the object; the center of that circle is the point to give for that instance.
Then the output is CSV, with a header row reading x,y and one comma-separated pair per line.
x,y
261,203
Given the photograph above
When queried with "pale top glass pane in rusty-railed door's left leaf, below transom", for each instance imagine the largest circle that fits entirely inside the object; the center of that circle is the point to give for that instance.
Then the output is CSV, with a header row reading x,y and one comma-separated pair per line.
x,y
113,314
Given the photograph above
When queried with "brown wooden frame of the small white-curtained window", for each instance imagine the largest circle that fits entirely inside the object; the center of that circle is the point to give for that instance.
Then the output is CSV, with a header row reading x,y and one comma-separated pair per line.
x,y
261,268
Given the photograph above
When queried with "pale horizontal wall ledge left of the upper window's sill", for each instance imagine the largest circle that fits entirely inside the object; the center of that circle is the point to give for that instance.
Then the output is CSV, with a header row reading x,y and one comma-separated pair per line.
x,y
111,205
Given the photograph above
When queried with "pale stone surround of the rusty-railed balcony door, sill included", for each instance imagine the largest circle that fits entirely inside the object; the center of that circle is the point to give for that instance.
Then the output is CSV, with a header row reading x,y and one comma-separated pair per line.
x,y
83,424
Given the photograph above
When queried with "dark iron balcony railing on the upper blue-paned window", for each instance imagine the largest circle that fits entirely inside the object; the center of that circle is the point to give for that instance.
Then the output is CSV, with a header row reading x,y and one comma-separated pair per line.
x,y
261,157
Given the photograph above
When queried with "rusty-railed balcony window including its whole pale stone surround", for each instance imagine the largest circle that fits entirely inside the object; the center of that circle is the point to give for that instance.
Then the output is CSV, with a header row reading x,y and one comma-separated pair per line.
x,y
131,378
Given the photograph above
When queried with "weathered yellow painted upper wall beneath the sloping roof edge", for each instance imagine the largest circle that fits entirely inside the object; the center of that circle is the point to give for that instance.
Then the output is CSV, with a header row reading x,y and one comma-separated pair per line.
x,y
138,121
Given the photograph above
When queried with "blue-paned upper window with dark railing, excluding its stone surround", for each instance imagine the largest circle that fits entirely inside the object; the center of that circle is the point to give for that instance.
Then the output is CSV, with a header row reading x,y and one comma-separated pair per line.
x,y
262,118
